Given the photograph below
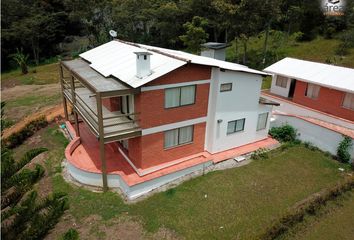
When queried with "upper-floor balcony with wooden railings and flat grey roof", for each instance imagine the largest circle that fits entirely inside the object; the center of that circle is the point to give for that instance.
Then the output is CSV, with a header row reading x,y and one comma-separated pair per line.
x,y
80,89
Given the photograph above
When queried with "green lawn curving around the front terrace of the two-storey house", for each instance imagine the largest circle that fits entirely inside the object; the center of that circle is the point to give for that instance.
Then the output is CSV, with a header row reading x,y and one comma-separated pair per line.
x,y
240,202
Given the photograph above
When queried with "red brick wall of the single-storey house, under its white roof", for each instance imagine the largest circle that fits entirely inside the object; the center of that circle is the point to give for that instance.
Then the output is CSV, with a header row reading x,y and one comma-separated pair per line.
x,y
329,101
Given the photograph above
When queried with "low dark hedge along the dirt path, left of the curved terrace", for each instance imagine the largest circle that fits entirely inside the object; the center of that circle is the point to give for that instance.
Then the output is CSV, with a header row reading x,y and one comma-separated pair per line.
x,y
18,138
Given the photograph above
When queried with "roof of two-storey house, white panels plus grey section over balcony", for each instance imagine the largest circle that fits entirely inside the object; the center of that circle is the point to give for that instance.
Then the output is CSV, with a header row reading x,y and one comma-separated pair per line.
x,y
112,66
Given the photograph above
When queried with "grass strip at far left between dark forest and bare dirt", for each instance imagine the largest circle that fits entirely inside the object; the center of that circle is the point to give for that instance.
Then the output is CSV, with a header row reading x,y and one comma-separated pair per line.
x,y
43,74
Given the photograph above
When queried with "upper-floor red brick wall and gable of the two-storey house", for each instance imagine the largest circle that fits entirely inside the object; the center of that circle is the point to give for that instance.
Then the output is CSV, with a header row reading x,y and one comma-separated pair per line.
x,y
151,104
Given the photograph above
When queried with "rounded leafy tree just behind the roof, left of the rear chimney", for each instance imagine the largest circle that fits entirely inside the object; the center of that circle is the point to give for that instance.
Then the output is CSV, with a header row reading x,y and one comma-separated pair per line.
x,y
195,34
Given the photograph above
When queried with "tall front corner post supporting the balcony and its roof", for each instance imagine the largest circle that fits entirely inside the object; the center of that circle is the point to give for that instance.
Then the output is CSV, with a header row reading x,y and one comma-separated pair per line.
x,y
101,139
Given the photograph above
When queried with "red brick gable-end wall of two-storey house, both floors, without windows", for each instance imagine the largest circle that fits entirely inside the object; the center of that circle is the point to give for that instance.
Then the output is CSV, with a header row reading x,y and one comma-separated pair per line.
x,y
148,150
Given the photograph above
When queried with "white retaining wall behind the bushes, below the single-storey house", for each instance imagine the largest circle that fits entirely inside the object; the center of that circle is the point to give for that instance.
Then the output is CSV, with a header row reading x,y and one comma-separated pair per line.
x,y
323,138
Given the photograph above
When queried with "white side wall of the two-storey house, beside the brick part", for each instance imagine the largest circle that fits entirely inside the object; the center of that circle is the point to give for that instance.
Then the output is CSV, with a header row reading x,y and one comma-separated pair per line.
x,y
241,102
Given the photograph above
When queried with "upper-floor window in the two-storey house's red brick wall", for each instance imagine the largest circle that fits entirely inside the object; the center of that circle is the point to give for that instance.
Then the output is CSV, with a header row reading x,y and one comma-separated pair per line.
x,y
181,96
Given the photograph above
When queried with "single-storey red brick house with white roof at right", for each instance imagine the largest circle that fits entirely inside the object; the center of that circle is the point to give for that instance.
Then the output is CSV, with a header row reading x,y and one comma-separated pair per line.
x,y
323,87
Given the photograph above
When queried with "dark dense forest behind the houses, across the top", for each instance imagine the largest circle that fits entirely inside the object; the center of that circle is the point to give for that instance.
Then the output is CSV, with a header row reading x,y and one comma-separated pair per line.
x,y
37,31
